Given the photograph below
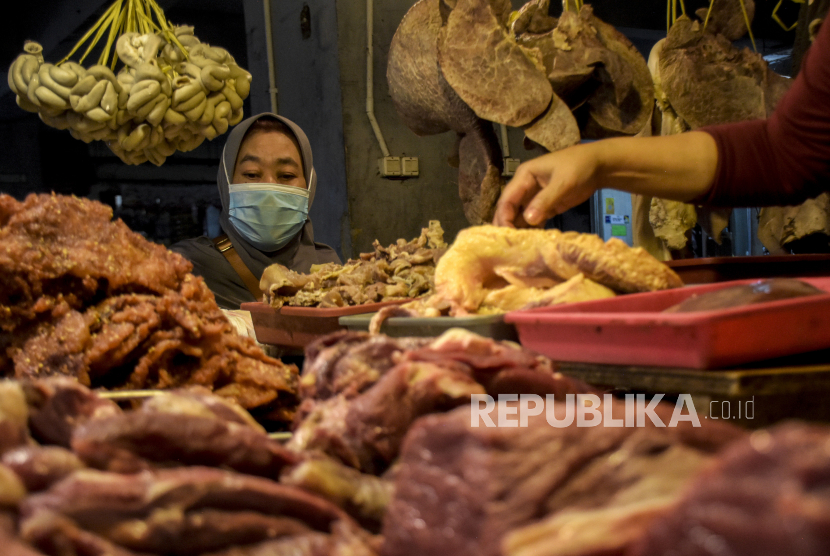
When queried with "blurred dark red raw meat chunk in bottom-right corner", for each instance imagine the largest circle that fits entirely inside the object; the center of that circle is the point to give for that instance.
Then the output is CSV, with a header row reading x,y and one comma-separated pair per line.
x,y
767,494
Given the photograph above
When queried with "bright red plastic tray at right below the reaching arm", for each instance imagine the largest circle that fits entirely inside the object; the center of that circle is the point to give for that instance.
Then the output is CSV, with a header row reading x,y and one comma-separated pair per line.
x,y
632,330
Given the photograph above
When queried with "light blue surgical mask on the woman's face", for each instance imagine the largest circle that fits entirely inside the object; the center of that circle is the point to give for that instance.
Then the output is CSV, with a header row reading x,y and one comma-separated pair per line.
x,y
268,215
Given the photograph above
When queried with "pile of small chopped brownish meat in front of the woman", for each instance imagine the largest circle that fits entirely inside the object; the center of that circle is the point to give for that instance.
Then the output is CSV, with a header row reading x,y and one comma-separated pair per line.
x,y
403,270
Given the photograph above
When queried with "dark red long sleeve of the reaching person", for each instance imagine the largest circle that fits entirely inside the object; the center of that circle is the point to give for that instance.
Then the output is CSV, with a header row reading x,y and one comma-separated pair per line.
x,y
784,159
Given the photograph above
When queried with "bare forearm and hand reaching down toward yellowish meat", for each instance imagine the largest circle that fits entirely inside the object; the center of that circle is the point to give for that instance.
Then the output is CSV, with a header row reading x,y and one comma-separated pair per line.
x,y
679,167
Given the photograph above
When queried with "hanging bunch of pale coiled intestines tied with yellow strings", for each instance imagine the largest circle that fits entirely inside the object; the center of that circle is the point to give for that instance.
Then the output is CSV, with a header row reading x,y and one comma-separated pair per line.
x,y
171,92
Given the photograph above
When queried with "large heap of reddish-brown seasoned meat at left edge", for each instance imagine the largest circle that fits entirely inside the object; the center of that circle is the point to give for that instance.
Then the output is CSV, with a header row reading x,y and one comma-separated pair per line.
x,y
82,295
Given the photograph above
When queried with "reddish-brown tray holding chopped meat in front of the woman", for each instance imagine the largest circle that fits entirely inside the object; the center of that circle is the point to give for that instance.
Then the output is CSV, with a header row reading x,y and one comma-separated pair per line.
x,y
299,326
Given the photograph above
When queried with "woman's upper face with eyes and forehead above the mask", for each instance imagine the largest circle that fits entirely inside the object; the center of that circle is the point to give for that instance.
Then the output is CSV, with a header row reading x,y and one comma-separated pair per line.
x,y
269,157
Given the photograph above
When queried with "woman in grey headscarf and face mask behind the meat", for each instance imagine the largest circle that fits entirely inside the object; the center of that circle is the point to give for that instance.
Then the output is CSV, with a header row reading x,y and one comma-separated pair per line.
x,y
266,183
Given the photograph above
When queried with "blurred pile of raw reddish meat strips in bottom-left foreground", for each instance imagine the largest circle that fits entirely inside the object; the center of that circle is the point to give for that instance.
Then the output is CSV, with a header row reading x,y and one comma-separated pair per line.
x,y
137,483
